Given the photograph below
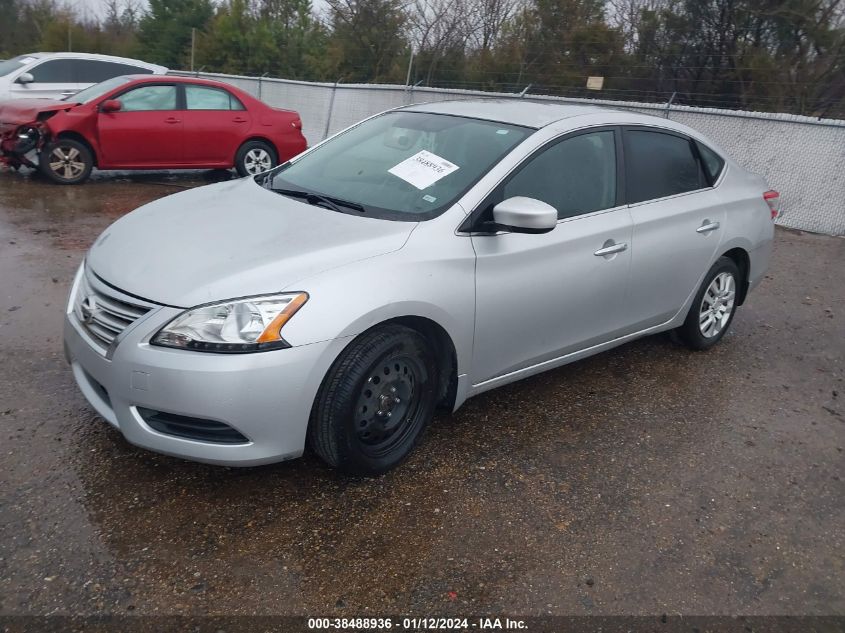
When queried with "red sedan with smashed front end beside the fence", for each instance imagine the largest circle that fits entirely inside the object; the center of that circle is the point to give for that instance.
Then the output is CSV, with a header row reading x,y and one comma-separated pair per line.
x,y
148,122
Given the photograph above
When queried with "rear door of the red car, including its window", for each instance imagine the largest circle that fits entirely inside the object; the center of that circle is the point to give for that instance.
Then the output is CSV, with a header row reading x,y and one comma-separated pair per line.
x,y
216,123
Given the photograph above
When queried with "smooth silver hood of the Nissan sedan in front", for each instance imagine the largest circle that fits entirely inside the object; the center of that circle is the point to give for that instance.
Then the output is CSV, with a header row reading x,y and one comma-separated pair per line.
x,y
232,239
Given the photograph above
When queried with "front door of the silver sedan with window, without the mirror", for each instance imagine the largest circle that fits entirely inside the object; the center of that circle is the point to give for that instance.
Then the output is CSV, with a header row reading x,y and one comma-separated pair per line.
x,y
539,297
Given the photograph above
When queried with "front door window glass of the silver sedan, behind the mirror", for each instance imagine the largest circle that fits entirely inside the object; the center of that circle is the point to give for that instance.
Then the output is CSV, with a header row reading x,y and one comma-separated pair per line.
x,y
575,176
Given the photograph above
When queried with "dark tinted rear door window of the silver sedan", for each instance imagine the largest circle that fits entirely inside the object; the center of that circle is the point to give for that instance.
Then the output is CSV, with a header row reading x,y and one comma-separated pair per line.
x,y
659,165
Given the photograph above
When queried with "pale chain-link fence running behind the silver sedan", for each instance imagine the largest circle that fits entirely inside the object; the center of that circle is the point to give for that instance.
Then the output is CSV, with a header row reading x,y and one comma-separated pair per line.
x,y
802,157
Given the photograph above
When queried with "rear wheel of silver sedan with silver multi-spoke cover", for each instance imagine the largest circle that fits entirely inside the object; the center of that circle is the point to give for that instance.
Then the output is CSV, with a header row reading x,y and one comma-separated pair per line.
x,y
713,307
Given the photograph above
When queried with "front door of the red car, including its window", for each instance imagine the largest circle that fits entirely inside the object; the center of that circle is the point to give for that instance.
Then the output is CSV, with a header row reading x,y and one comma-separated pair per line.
x,y
145,133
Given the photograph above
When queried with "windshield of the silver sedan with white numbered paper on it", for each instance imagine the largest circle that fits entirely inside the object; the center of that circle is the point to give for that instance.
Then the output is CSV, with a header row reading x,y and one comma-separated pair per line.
x,y
399,166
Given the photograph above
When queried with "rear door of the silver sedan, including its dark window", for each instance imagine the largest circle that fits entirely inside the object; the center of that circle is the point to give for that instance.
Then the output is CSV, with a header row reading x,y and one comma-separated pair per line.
x,y
678,222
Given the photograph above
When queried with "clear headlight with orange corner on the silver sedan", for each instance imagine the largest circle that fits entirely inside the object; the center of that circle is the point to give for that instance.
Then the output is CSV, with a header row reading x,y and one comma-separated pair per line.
x,y
241,325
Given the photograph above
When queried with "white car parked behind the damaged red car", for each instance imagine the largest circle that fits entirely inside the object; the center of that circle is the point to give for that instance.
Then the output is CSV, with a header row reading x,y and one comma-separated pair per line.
x,y
59,75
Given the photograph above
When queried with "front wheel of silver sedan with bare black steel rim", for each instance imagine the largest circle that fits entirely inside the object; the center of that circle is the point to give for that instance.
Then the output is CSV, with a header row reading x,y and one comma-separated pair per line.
x,y
375,401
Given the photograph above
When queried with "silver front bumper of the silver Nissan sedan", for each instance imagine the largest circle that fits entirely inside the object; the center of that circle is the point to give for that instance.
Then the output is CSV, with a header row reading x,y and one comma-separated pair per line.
x,y
266,396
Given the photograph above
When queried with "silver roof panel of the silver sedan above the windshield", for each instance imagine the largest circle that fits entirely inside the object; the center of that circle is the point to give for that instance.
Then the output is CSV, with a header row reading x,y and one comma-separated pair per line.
x,y
524,112
